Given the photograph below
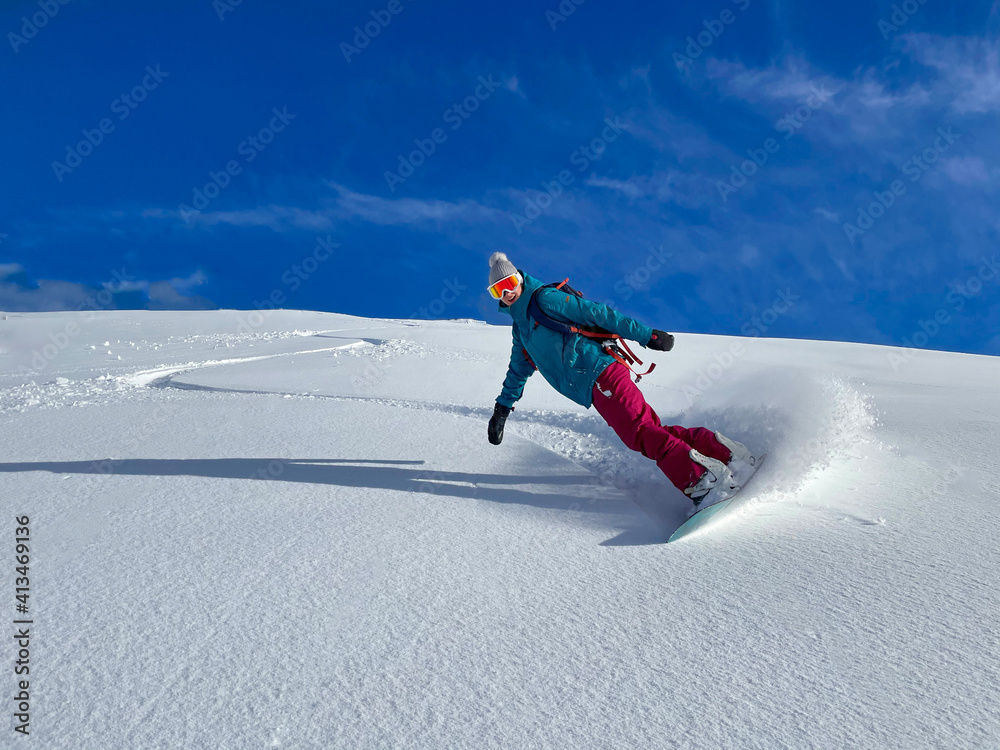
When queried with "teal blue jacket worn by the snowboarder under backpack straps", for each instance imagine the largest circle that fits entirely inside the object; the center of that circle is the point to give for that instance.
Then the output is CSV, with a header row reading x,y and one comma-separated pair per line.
x,y
570,364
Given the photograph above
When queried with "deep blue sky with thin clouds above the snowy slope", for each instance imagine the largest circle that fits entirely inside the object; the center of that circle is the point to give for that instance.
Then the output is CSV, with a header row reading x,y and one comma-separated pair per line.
x,y
812,170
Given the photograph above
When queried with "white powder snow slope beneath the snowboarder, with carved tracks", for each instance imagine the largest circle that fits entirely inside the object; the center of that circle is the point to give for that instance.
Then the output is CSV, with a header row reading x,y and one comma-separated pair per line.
x,y
294,533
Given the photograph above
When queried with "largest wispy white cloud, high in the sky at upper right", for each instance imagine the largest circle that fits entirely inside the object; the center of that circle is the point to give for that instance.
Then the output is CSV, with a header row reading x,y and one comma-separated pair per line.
x,y
882,116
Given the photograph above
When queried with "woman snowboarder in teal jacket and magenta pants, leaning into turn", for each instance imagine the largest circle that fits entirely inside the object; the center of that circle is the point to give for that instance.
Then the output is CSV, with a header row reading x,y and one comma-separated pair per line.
x,y
705,466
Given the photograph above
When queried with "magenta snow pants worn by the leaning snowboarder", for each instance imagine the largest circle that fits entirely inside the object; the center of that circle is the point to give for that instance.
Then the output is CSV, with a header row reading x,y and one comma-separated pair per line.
x,y
624,408
